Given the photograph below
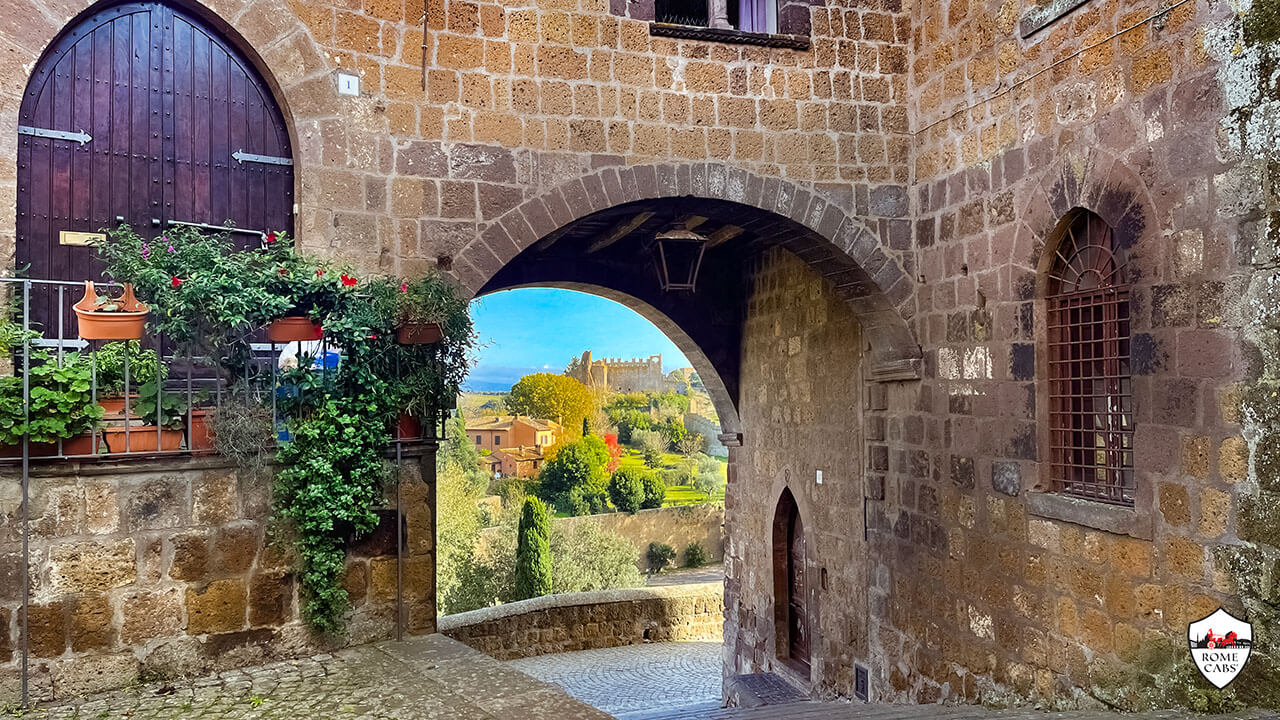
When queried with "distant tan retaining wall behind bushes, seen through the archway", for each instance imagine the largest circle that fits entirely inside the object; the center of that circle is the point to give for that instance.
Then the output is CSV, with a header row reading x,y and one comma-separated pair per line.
x,y
678,527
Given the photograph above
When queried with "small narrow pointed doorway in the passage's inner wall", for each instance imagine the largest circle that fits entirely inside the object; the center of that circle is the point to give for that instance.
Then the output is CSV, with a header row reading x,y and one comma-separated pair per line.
x,y
792,586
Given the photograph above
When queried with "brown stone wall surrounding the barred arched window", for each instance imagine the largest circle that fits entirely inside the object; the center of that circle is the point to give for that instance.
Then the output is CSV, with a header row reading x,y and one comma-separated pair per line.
x,y
985,587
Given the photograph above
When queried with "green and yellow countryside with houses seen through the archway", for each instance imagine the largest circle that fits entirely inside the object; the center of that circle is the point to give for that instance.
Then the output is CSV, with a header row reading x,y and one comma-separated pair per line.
x,y
598,441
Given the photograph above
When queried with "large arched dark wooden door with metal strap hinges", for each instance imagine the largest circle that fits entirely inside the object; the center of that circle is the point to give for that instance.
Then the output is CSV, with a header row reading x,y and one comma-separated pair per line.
x,y
144,113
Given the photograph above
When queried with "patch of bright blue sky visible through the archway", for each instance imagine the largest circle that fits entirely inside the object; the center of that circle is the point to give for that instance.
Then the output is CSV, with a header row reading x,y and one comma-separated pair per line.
x,y
540,330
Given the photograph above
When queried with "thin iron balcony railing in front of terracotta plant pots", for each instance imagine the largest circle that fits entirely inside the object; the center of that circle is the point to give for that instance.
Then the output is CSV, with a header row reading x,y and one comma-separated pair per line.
x,y
162,409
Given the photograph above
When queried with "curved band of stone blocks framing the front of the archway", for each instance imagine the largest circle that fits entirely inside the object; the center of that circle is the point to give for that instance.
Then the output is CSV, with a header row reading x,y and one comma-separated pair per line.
x,y
861,263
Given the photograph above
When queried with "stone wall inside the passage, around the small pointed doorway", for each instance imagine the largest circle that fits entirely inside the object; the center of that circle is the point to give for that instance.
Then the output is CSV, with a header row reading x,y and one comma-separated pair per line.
x,y
802,370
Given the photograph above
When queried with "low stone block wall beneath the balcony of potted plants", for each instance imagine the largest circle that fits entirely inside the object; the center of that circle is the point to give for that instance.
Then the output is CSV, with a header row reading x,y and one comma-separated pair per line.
x,y
154,569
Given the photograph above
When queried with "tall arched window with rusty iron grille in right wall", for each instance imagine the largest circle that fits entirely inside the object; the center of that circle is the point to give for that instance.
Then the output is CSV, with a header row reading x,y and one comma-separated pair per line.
x,y
1091,393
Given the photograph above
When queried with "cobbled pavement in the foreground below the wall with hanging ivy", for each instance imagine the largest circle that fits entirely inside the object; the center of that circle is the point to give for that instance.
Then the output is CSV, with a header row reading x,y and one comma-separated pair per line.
x,y
427,678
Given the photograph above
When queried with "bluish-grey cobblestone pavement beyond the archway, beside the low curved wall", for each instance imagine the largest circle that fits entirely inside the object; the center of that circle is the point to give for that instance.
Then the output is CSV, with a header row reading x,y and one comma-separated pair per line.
x,y
634,678
